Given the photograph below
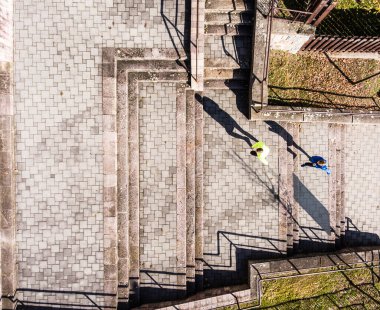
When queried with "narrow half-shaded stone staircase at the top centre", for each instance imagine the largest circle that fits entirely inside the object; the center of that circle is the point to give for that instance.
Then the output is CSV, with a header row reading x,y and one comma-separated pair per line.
x,y
228,32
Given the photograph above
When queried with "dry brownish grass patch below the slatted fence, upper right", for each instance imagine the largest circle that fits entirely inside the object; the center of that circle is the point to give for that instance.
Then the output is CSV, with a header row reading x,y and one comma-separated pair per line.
x,y
314,80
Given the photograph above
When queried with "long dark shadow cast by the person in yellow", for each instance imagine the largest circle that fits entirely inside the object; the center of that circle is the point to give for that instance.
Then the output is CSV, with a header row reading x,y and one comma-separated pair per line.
x,y
224,119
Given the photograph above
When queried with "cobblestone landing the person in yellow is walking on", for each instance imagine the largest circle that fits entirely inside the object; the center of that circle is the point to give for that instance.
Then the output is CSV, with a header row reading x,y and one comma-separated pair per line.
x,y
240,208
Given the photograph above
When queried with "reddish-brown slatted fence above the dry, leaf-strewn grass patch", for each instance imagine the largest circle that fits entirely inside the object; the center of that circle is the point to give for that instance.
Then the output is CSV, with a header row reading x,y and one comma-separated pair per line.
x,y
345,44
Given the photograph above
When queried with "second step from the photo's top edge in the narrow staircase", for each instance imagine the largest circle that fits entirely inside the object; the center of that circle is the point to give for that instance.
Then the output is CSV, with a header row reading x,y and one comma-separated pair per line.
x,y
235,17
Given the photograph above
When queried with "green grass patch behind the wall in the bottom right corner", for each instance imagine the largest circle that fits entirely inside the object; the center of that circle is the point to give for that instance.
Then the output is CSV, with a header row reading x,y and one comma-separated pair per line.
x,y
327,291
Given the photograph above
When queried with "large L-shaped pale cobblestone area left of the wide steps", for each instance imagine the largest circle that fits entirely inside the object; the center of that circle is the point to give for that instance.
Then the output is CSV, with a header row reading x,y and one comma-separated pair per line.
x,y
58,49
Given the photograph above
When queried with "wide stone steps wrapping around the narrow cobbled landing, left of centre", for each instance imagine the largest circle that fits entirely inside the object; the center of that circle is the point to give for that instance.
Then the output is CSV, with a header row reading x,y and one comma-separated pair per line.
x,y
127,249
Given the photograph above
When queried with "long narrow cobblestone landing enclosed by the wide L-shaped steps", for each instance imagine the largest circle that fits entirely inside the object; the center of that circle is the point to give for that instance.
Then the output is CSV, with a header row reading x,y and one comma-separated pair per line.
x,y
158,183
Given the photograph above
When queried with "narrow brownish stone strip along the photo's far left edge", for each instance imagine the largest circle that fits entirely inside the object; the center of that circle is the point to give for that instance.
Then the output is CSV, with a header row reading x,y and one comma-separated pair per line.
x,y
8,269
